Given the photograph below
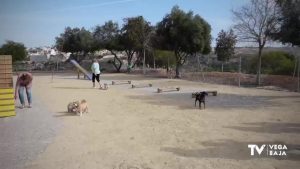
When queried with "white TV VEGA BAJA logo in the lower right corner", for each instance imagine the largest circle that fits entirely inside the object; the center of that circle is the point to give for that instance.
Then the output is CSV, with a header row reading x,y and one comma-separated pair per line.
x,y
269,149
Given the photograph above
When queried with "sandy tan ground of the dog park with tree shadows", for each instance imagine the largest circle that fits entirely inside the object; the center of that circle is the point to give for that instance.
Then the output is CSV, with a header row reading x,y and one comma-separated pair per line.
x,y
141,129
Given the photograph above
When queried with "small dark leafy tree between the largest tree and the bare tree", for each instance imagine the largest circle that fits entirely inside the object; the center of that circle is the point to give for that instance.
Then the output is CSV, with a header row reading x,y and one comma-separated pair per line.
x,y
225,45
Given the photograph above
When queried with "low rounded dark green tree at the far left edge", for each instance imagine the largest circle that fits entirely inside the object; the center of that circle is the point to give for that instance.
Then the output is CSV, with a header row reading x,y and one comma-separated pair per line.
x,y
17,50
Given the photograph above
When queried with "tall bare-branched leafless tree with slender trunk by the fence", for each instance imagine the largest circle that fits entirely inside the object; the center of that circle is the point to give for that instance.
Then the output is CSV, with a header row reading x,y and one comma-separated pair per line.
x,y
255,22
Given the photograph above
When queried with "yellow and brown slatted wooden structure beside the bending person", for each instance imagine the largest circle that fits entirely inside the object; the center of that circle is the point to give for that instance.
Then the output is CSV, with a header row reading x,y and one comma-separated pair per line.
x,y
7,102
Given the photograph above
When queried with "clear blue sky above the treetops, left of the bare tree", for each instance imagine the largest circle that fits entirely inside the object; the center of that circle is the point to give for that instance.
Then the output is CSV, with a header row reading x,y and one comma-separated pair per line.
x,y
36,23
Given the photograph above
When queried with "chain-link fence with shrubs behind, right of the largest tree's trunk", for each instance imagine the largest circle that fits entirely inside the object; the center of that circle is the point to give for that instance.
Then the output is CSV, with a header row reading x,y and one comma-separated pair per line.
x,y
240,71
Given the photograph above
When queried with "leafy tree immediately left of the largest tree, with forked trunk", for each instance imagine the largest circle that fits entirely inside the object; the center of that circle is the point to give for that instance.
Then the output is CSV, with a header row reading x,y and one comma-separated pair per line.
x,y
134,35
